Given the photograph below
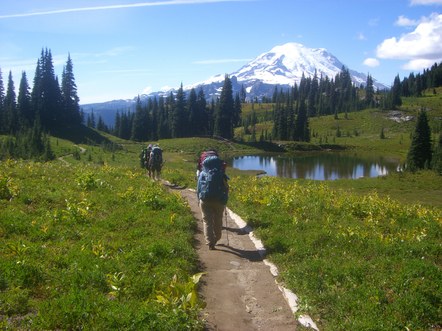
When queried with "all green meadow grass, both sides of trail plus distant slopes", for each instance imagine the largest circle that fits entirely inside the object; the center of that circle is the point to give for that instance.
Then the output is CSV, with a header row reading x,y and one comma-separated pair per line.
x,y
85,239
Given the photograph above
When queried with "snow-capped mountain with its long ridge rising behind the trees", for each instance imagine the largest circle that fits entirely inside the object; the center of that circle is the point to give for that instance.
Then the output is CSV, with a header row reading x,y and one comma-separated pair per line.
x,y
282,66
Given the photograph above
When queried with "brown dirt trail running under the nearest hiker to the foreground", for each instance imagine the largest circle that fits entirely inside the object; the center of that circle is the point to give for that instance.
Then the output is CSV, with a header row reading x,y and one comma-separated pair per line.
x,y
239,289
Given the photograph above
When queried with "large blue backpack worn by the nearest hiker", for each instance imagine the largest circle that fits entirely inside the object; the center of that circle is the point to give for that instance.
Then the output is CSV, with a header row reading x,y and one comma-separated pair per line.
x,y
212,181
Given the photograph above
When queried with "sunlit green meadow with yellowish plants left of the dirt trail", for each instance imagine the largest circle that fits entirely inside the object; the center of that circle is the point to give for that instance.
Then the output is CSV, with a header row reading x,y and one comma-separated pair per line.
x,y
88,246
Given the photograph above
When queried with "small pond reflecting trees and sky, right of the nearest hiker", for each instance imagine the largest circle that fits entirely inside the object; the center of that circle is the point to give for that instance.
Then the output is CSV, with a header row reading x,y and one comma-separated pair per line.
x,y
324,166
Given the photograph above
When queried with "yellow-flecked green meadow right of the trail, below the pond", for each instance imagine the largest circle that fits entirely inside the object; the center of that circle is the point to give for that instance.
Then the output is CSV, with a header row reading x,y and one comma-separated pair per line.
x,y
356,263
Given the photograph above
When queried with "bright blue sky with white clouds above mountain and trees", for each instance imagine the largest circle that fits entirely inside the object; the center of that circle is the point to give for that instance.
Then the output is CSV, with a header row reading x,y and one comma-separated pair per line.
x,y
122,48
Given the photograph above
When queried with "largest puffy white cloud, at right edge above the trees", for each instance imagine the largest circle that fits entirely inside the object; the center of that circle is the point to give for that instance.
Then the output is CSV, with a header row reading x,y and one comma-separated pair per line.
x,y
419,47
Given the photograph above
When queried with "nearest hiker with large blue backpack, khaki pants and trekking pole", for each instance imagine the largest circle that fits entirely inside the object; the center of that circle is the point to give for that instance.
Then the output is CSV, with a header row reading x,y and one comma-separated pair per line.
x,y
212,192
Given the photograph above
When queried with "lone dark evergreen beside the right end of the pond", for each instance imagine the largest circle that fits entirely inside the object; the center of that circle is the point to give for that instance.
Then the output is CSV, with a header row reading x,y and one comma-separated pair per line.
x,y
419,154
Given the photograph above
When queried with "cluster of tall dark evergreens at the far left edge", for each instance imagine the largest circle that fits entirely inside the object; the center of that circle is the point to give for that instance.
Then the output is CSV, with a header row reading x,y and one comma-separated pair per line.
x,y
30,117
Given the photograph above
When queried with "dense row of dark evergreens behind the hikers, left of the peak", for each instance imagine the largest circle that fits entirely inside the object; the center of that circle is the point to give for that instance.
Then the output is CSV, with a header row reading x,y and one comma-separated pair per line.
x,y
178,116
